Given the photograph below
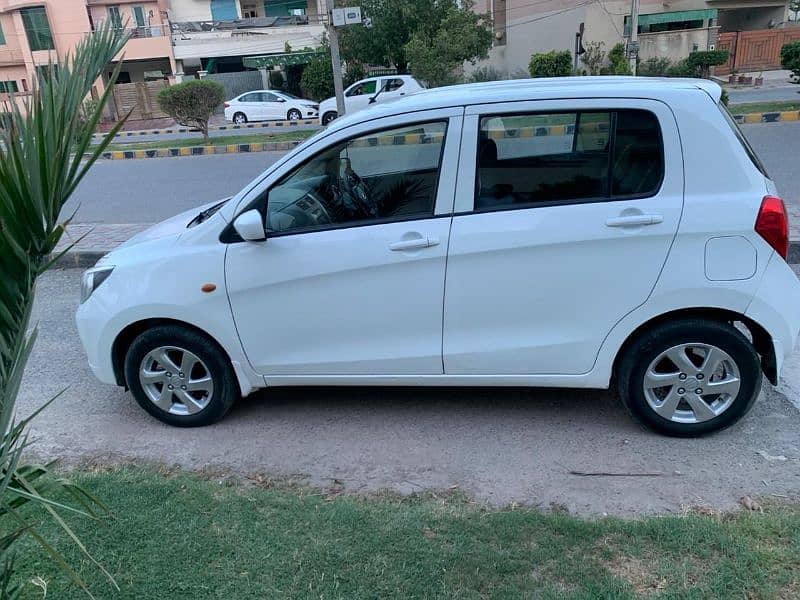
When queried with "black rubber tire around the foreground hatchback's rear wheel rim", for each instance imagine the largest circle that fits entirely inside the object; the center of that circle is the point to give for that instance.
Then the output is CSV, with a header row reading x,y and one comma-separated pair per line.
x,y
646,348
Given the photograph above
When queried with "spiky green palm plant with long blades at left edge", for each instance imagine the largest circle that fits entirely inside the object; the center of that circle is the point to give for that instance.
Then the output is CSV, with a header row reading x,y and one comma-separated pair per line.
x,y
41,163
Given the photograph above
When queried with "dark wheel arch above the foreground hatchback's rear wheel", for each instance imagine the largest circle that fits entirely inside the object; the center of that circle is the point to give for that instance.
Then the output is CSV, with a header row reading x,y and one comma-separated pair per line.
x,y
759,337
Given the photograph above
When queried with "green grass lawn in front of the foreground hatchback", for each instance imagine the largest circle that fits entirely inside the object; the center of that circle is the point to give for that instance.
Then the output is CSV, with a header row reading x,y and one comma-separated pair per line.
x,y
177,535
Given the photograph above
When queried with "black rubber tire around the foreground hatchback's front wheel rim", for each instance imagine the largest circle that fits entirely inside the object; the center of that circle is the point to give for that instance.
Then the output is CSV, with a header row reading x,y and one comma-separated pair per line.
x,y
225,387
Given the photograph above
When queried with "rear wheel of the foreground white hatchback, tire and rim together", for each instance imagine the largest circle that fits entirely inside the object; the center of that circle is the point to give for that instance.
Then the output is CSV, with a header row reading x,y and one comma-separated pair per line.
x,y
690,377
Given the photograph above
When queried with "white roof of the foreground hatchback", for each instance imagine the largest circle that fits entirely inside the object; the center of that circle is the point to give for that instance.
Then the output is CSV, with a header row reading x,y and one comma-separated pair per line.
x,y
545,88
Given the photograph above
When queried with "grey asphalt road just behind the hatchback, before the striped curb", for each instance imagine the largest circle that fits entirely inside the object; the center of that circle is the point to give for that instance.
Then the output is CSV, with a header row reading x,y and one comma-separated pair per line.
x,y
150,190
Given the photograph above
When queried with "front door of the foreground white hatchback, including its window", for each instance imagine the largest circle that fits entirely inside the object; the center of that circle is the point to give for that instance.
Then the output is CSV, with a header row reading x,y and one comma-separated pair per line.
x,y
351,278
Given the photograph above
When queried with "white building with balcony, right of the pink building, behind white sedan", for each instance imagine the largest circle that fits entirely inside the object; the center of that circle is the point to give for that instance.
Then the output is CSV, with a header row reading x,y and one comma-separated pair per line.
x,y
216,36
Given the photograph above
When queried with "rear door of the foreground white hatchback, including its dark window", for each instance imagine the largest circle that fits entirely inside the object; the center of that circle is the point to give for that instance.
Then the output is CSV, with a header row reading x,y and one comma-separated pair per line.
x,y
565,213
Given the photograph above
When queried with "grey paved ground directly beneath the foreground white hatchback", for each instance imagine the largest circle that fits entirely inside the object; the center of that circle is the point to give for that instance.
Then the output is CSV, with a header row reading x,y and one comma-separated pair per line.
x,y
501,445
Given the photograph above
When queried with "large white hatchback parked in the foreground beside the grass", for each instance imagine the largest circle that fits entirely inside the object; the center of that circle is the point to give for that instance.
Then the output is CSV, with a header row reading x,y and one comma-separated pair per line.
x,y
560,233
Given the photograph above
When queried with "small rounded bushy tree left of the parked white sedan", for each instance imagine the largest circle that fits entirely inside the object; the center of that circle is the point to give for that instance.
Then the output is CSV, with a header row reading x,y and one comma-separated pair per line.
x,y
192,103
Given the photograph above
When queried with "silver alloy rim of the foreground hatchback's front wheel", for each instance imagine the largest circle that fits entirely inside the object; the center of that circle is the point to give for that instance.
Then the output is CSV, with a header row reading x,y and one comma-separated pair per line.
x,y
176,380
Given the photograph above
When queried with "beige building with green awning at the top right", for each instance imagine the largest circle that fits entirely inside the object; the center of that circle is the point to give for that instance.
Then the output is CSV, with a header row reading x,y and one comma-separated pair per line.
x,y
670,29
